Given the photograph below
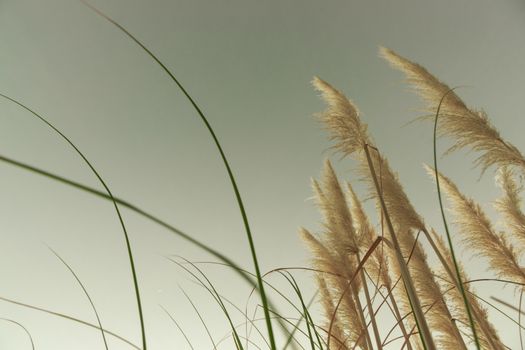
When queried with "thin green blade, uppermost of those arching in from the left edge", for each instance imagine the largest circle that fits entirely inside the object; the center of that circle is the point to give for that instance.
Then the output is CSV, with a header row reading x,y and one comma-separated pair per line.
x,y
103,183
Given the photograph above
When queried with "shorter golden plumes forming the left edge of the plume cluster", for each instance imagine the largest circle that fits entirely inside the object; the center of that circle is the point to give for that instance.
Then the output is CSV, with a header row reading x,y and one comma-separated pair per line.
x,y
335,257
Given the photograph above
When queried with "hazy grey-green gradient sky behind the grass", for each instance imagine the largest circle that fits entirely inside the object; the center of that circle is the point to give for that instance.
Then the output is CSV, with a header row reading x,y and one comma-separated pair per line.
x,y
249,65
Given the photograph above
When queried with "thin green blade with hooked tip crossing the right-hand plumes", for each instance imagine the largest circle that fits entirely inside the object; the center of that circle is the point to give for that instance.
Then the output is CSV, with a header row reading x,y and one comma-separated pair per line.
x,y
449,238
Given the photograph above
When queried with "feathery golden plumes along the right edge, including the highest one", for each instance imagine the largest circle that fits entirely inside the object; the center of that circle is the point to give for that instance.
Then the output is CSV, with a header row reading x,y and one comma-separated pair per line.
x,y
471,129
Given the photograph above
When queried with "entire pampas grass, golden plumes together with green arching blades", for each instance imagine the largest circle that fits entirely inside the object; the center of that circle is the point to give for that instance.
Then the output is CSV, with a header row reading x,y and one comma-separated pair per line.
x,y
363,277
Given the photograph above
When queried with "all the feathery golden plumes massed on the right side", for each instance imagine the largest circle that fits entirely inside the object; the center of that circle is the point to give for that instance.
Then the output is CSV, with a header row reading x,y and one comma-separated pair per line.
x,y
348,234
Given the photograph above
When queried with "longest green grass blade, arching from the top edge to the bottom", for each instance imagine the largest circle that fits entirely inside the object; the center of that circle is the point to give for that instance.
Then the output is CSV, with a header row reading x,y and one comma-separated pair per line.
x,y
224,160
